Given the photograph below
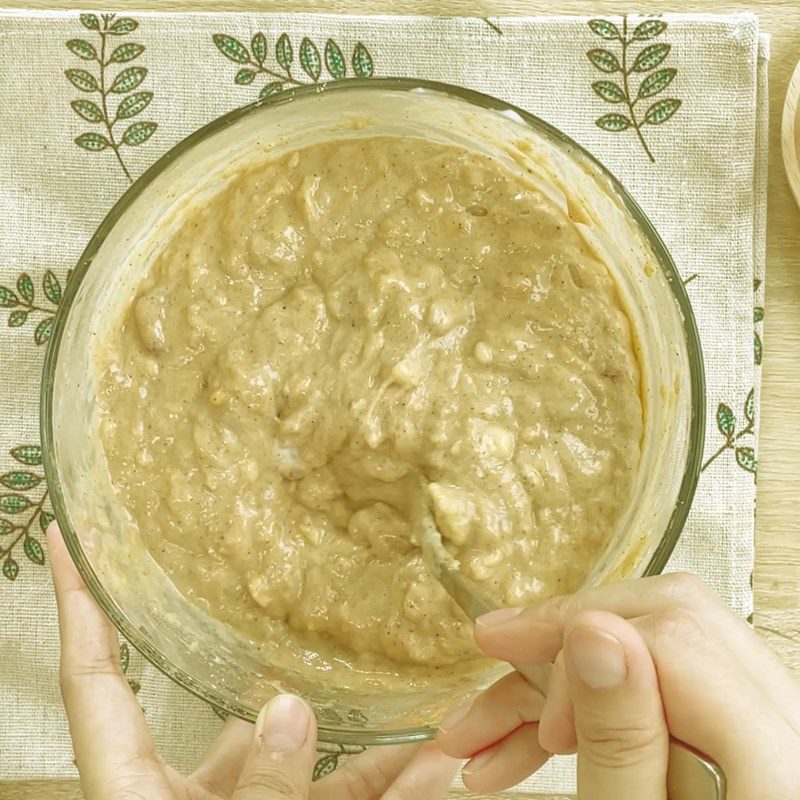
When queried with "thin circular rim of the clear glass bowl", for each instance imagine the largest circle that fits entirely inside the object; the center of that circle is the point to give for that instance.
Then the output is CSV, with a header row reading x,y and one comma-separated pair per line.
x,y
328,732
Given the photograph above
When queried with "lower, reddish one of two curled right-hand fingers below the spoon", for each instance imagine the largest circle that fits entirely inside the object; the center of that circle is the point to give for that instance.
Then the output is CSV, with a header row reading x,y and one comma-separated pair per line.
x,y
507,763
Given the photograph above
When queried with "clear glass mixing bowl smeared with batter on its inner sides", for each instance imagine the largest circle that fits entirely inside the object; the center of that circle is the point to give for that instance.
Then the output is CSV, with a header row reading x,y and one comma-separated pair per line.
x,y
200,654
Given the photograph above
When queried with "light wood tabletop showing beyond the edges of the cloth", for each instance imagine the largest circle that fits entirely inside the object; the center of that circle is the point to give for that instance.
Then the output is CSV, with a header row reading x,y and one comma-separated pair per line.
x,y
777,577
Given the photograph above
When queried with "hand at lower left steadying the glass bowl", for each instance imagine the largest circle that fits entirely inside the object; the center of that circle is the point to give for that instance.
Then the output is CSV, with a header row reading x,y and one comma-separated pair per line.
x,y
117,759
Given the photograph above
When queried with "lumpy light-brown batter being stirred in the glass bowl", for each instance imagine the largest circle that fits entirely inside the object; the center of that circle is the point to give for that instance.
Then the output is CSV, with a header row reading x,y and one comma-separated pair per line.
x,y
333,332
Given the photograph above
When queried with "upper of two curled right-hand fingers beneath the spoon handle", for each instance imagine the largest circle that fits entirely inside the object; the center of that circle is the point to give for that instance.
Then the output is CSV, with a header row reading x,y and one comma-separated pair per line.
x,y
493,715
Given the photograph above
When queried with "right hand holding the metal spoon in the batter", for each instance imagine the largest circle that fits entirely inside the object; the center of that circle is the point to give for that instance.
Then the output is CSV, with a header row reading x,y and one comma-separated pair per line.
x,y
632,661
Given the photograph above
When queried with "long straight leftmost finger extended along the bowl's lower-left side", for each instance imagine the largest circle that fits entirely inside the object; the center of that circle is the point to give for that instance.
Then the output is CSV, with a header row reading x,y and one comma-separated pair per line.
x,y
109,733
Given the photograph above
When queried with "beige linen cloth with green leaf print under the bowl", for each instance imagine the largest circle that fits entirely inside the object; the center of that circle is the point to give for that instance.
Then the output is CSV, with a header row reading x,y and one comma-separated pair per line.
x,y
675,106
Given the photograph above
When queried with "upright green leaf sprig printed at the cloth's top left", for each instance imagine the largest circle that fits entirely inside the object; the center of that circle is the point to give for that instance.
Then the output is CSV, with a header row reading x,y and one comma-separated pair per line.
x,y
113,101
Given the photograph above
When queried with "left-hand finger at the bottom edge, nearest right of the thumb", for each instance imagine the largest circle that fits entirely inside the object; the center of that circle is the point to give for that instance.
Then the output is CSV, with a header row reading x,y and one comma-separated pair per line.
x,y
366,776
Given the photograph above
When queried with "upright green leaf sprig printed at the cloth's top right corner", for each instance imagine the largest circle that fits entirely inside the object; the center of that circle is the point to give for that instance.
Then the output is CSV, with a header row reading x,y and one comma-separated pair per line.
x,y
637,76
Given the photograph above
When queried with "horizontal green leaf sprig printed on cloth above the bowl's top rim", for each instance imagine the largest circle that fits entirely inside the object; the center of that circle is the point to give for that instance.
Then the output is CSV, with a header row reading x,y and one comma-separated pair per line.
x,y
307,63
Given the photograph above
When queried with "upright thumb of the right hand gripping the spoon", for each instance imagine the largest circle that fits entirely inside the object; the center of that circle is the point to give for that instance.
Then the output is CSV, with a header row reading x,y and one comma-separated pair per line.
x,y
619,719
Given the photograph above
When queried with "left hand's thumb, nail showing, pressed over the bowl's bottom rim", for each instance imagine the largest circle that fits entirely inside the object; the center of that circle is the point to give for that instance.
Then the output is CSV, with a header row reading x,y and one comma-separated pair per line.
x,y
281,758
